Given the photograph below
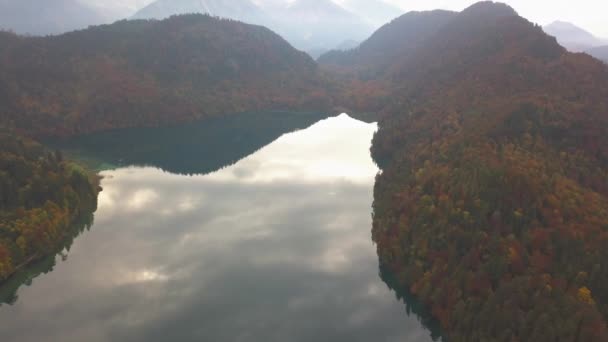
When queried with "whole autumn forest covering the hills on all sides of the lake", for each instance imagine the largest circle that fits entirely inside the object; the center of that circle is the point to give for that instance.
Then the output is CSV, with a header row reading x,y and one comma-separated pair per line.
x,y
491,206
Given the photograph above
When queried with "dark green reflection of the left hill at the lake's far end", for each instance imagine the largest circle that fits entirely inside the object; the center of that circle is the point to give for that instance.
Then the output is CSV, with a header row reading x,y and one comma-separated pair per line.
x,y
194,148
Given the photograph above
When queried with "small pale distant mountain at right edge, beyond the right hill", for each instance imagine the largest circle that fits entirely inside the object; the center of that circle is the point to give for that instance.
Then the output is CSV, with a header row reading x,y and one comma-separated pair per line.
x,y
573,37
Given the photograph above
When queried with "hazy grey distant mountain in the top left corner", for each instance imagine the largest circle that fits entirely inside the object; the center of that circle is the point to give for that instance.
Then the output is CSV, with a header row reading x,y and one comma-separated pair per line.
x,y
46,17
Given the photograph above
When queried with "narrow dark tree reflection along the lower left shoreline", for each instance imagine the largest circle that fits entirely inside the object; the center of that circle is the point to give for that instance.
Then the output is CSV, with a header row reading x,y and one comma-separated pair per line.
x,y
25,276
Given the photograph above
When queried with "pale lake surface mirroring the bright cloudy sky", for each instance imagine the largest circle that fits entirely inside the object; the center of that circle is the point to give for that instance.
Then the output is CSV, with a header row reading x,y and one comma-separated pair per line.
x,y
274,247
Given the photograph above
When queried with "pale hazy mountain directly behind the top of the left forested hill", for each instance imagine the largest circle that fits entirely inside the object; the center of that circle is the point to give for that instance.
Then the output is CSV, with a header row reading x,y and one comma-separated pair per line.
x,y
242,10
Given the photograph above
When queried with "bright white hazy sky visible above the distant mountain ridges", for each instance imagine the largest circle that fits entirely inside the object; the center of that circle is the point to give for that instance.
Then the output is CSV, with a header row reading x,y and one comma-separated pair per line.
x,y
588,14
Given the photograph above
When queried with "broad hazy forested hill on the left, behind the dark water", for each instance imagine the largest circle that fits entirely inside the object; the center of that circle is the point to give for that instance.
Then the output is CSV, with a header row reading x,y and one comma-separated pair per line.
x,y
135,73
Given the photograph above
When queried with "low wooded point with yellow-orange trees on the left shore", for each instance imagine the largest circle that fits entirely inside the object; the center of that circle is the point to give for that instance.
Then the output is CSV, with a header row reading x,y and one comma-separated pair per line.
x,y
41,197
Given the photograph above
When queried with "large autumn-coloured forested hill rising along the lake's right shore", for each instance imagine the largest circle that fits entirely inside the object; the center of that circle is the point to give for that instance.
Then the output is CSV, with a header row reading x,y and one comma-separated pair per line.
x,y
492,206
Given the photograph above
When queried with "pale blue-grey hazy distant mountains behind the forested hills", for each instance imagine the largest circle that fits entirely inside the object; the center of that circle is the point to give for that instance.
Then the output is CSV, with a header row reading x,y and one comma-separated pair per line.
x,y
314,26
